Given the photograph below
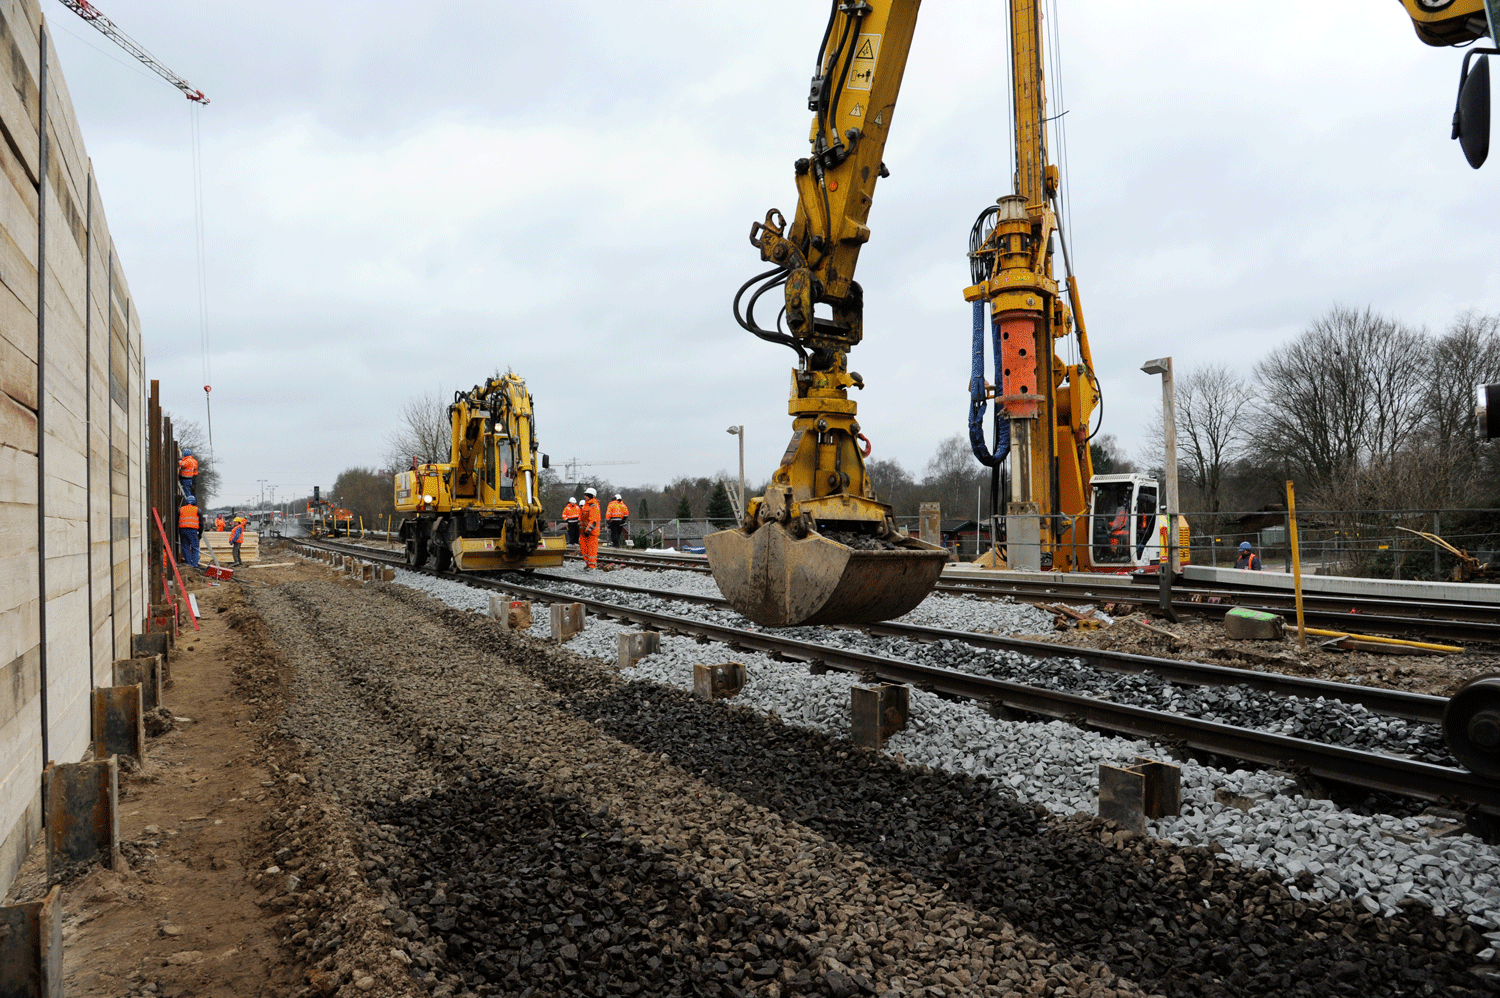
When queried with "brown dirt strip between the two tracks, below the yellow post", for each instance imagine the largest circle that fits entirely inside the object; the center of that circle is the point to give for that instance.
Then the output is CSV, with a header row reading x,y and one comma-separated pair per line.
x,y
1199,640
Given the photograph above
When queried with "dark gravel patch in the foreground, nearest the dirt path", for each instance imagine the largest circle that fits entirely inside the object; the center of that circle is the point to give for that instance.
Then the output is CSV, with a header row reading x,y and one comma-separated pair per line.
x,y
541,892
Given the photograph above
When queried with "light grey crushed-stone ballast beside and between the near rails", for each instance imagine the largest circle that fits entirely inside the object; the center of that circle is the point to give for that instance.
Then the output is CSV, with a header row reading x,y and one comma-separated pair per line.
x,y
1258,819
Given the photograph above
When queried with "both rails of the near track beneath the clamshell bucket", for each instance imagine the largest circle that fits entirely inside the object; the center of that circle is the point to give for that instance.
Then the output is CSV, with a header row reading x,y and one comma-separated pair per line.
x,y
1370,771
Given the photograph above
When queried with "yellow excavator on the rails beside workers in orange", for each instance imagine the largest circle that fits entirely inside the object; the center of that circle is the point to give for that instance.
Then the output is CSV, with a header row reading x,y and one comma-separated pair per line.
x,y
482,510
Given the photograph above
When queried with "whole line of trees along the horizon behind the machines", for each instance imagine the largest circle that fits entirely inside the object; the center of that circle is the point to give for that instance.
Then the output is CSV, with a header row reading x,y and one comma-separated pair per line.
x,y
1361,410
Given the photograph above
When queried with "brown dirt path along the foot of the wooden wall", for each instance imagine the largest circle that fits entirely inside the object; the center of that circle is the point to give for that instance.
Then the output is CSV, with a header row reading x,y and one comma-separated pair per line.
x,y
181,918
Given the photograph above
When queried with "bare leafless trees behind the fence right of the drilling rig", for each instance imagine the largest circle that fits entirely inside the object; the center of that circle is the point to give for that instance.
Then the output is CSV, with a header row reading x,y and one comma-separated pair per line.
x,y
1360,410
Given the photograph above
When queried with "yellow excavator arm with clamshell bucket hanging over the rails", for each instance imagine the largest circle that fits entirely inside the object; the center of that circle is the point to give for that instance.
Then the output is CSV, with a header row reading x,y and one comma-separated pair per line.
x,y
818,547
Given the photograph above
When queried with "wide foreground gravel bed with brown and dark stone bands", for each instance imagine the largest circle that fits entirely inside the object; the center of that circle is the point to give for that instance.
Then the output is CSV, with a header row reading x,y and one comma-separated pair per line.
x,y
892,877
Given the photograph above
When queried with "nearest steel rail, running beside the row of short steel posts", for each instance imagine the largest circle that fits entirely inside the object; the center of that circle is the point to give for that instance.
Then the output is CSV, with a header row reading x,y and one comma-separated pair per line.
x,y
1370,771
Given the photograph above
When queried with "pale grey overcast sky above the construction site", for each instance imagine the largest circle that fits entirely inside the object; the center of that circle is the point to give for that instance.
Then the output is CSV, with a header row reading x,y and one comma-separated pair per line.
x,y
407,197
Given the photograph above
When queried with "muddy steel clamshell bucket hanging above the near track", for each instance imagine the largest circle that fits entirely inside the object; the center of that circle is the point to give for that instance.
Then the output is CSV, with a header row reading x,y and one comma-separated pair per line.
x,y
781,582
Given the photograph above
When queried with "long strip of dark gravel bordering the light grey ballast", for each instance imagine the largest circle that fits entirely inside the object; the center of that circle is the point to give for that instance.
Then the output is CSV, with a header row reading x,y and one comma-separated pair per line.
x,y
1175,921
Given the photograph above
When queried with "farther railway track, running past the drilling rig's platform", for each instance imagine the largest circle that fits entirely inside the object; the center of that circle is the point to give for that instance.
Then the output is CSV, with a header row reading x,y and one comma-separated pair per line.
x,y
1447,621
